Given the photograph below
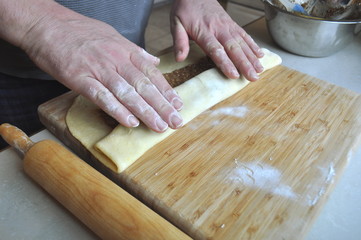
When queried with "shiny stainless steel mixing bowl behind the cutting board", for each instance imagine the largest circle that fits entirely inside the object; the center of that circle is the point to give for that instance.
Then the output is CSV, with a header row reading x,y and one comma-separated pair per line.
x,y
307,36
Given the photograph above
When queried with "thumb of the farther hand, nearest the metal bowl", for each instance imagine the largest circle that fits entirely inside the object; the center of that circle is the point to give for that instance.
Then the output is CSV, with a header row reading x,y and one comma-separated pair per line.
x,y
180,40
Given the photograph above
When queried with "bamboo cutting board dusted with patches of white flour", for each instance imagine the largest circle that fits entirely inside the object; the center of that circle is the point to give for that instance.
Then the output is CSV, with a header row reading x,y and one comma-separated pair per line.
x,y
258,165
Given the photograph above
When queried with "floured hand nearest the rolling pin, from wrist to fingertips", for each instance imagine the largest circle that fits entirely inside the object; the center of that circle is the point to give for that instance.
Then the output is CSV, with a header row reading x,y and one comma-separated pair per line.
x,y
91,58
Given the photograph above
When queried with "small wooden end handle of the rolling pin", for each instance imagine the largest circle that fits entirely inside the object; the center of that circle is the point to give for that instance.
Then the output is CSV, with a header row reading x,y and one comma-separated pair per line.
x,y
15,137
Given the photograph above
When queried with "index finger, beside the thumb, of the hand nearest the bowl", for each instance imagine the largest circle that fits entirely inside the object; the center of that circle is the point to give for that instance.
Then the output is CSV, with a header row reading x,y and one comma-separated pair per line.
x,y
216,52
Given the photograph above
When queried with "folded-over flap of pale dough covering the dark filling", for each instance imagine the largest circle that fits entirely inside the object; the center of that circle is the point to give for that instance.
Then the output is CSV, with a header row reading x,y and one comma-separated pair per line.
x,y
130,144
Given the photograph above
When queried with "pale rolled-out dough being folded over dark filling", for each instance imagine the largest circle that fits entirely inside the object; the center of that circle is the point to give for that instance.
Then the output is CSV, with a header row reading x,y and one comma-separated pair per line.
x,y
119,148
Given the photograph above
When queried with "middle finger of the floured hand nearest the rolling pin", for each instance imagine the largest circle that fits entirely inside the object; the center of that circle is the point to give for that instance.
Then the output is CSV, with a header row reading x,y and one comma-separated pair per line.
x,y
149,92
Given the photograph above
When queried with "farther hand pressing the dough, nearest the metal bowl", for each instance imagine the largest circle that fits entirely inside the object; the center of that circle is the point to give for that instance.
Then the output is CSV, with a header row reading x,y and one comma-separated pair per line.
x,y
207,23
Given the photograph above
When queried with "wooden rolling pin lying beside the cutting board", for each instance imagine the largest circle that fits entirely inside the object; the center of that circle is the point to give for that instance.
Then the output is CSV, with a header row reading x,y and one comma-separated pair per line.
x,y
99,203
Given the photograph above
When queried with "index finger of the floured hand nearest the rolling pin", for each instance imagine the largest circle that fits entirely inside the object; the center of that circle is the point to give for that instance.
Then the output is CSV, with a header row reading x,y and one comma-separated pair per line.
x,y
157,78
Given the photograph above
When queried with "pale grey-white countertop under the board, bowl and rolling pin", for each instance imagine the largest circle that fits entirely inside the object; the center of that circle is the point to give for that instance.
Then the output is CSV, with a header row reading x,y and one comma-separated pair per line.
x,y
27,212
